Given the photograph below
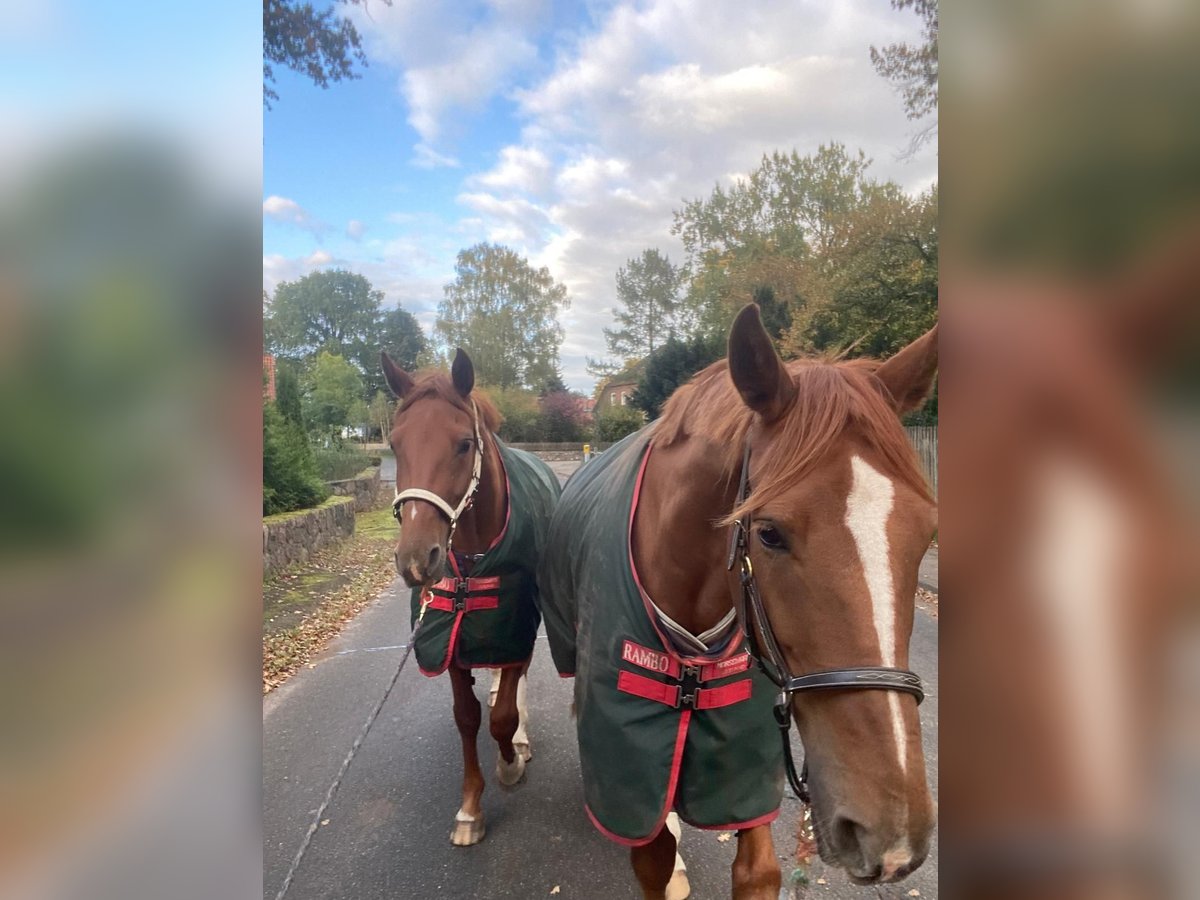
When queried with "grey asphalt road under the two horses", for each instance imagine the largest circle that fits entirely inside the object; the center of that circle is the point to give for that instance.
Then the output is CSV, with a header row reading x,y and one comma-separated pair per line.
x,y
388,830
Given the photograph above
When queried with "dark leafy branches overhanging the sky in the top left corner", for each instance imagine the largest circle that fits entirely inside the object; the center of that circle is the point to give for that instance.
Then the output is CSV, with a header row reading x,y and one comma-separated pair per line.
x,y
320,45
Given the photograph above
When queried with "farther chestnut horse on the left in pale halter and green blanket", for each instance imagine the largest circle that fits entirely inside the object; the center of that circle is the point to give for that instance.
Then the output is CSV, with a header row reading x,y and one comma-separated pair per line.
x,y
473,514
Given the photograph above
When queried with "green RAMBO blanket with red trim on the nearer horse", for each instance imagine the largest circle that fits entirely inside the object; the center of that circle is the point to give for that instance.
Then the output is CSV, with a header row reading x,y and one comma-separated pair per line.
x,y
657,730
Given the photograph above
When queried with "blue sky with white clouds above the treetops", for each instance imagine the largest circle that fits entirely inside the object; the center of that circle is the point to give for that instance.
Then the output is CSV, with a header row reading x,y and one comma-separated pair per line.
x,y
569,133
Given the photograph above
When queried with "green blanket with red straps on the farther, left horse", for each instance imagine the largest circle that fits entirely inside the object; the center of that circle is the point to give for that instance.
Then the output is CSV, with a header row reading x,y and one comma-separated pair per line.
x,y
488,617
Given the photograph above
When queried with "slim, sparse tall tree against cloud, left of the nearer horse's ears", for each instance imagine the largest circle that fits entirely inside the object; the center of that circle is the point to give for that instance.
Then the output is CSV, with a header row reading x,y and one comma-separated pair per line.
x,y
647,289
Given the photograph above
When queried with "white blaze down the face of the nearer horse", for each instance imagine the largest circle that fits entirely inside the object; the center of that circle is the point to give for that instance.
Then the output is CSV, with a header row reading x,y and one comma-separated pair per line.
x,y
868,511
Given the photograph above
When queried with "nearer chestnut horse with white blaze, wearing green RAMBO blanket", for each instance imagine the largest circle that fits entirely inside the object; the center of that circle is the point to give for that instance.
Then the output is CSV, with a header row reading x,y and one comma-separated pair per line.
x,y
838,518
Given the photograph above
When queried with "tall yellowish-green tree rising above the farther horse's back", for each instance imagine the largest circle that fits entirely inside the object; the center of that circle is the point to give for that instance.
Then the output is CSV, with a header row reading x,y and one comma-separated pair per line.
x,y
503,313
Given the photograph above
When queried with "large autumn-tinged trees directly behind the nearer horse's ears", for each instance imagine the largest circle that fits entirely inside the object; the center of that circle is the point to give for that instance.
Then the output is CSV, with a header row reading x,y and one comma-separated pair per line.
x,y
837,260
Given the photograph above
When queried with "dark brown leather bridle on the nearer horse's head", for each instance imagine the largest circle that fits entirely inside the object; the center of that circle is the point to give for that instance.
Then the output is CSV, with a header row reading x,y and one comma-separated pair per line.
x,y
766,652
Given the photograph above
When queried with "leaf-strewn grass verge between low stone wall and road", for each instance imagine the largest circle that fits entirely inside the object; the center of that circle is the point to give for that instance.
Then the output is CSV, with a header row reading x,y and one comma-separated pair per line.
x,y
308,605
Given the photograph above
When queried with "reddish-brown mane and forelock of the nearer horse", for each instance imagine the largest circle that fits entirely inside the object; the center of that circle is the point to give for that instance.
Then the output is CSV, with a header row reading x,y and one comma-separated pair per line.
x,y
831,397
